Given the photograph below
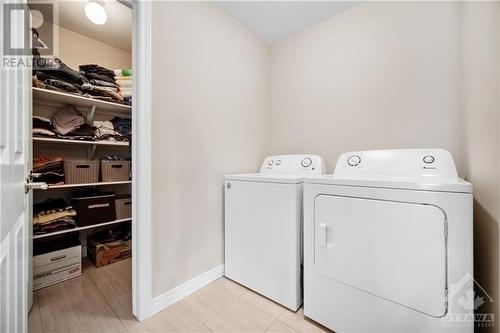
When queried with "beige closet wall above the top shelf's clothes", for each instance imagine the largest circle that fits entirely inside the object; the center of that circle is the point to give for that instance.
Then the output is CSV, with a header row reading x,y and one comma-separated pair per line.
x,y
76,49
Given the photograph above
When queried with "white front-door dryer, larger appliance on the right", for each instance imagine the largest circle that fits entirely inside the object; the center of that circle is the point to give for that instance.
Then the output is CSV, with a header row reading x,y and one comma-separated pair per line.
x,y
388,244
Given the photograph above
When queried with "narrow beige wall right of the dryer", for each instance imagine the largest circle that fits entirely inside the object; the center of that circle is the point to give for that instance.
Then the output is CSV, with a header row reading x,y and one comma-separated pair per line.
x,y
480,139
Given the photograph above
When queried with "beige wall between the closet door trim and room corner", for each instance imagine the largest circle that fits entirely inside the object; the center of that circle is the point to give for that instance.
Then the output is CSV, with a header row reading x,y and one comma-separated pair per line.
x,y
210,118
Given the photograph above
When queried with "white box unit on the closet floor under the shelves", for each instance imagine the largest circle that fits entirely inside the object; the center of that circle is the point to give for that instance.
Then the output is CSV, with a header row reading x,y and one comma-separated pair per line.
x,y
56,266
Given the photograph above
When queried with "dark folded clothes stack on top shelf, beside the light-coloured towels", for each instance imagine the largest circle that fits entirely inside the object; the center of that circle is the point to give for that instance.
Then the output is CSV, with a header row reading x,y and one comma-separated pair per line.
x,y
102,81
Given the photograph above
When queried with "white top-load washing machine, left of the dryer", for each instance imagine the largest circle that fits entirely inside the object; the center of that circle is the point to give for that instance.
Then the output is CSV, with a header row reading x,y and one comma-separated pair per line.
x,y
263,227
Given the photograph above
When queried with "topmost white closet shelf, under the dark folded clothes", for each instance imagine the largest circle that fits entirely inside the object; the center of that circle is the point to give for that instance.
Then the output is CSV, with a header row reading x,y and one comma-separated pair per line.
x,y
55,97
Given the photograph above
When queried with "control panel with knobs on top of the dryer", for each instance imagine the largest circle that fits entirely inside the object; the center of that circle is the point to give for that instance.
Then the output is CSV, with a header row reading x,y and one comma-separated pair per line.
x,y
397,162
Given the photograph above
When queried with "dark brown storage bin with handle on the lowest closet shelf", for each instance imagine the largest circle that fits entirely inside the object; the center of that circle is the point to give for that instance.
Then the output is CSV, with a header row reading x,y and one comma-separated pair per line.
x,y
94,209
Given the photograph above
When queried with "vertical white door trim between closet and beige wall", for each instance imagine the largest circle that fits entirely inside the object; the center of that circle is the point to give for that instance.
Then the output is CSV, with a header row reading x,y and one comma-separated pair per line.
x,y
141,162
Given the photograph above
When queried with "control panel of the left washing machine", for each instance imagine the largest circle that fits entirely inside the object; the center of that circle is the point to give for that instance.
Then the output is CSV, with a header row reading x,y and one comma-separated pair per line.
x,y
306,164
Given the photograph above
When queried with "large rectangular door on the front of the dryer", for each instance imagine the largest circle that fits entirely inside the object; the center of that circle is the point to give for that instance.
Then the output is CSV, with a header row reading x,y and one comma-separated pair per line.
x,y
393,250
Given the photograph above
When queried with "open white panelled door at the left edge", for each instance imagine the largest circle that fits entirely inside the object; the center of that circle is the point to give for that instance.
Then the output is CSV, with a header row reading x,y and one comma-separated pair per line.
x,y
14,156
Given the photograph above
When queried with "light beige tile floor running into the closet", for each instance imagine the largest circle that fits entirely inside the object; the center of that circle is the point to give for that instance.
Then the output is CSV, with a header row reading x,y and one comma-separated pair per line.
x,y
100,301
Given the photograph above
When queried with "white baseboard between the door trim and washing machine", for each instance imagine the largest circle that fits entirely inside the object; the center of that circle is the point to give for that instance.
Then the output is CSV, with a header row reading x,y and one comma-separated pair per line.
x,y
173,295
